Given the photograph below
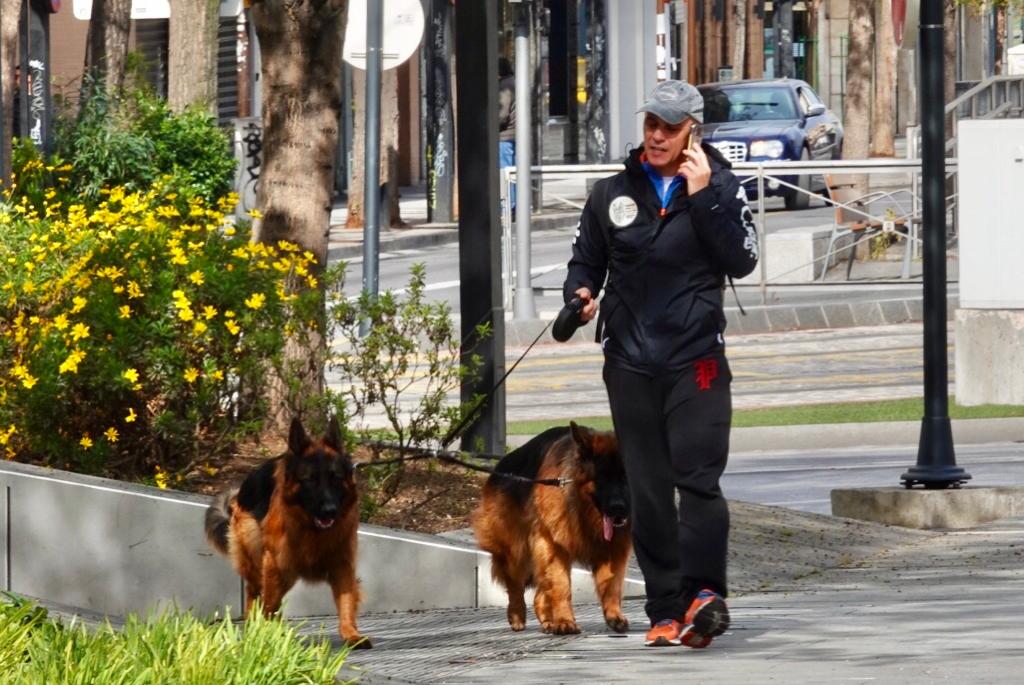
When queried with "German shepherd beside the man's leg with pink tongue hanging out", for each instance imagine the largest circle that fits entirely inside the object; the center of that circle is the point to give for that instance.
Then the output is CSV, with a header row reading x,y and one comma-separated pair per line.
x,y
535,533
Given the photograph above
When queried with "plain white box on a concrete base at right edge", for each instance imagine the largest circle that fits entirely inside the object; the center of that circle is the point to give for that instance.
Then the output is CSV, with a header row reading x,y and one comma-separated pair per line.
x,y
991,159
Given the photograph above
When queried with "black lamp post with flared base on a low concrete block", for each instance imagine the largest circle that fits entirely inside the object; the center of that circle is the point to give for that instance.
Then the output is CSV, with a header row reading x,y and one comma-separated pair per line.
x,y
936,466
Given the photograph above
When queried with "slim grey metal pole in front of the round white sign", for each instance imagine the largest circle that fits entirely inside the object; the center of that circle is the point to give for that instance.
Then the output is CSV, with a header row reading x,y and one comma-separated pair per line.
x,y
372,195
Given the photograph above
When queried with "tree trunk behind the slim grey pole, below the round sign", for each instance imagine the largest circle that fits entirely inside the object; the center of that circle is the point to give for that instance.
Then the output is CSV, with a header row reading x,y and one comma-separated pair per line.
x,y
389,151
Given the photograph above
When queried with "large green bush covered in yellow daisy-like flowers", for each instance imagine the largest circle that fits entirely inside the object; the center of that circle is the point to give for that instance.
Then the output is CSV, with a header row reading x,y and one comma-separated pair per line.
x,y
139,334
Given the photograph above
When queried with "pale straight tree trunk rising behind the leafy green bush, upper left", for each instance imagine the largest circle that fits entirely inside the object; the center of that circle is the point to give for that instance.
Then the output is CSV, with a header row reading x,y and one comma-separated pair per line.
x,y
192,74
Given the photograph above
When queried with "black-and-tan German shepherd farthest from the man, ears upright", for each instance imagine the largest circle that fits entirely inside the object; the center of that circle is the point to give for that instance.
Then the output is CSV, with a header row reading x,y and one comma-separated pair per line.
x,y
295,518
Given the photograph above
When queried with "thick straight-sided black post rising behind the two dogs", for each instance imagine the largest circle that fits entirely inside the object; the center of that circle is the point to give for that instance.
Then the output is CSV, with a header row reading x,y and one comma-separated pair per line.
x,y
480,231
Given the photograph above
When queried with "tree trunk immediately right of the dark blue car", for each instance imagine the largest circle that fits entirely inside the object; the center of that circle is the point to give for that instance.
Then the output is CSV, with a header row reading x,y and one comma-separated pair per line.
x,y
858,108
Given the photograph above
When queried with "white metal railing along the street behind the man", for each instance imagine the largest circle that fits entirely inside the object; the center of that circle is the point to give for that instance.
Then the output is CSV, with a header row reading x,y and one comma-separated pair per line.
x,y
762,176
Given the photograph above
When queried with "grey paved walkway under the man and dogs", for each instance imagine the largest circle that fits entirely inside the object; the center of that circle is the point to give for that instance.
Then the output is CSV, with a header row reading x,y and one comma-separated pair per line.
x,y
816,600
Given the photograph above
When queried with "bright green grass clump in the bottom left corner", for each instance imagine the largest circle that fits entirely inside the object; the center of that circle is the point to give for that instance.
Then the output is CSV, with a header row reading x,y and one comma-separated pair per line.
x,y
170,648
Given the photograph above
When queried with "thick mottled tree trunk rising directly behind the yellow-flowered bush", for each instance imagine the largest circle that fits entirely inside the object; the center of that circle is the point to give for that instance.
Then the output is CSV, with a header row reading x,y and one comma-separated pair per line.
x,y
302,47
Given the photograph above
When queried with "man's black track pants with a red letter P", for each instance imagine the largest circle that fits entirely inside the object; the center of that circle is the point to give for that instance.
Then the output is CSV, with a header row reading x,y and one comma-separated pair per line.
x,y
673,432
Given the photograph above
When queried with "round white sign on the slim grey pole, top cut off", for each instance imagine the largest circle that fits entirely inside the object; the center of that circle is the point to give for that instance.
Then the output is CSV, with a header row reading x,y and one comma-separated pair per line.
x,y
402,35
